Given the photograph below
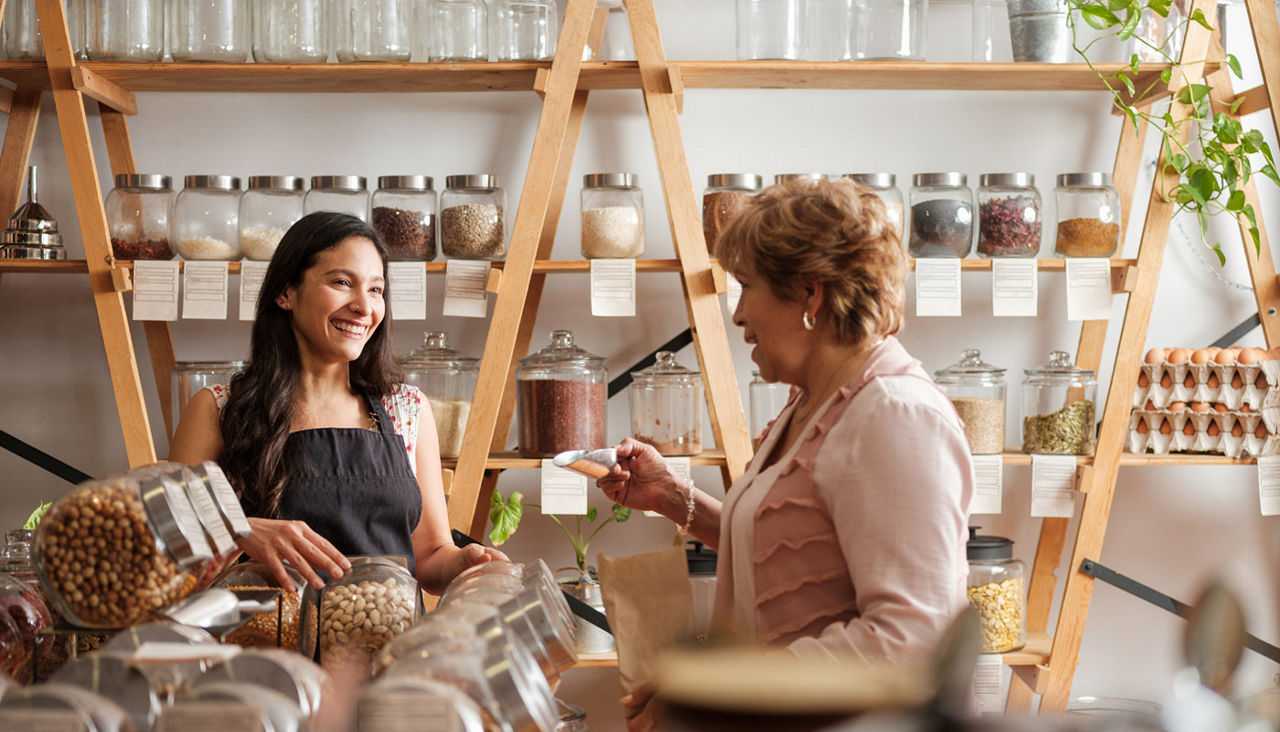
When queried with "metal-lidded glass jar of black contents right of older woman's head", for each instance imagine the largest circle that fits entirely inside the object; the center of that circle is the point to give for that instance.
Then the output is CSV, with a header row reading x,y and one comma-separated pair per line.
x,y
941,216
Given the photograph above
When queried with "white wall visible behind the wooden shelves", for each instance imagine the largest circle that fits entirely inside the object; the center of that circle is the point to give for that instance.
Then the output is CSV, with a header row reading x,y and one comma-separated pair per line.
x,y
1171,528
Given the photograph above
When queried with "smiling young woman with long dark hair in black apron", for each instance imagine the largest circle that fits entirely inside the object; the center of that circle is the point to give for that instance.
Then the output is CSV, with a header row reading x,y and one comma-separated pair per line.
x,y
331,455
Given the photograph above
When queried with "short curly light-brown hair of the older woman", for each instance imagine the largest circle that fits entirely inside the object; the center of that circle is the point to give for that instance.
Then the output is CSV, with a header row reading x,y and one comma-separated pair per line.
x,y
834,232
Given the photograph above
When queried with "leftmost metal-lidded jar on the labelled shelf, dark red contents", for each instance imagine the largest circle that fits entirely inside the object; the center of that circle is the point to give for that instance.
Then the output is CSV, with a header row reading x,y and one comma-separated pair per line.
x,y
138,217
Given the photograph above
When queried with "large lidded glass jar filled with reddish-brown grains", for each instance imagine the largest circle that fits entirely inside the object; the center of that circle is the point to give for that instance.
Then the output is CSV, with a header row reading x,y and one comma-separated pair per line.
x,y
561,395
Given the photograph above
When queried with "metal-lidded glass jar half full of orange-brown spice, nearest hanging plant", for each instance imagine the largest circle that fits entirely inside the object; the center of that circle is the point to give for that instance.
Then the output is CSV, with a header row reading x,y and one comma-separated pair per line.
x,y
1089,216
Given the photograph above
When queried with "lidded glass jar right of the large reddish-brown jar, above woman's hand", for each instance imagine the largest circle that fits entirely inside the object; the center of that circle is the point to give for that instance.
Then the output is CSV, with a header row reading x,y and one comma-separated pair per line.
x,y
668,408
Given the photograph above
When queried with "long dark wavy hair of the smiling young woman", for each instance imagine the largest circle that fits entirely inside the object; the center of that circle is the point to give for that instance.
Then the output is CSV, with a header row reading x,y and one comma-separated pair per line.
x,y
255,423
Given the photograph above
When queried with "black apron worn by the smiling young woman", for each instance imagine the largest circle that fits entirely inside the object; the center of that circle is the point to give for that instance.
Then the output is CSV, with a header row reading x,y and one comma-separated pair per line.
x,y
355,488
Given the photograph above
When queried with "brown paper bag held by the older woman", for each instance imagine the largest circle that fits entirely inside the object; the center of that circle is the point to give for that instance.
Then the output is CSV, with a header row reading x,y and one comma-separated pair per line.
x,y
651,609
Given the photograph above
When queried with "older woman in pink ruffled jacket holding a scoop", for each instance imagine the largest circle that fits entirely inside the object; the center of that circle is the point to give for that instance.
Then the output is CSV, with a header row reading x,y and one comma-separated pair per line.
x,y
847,536
